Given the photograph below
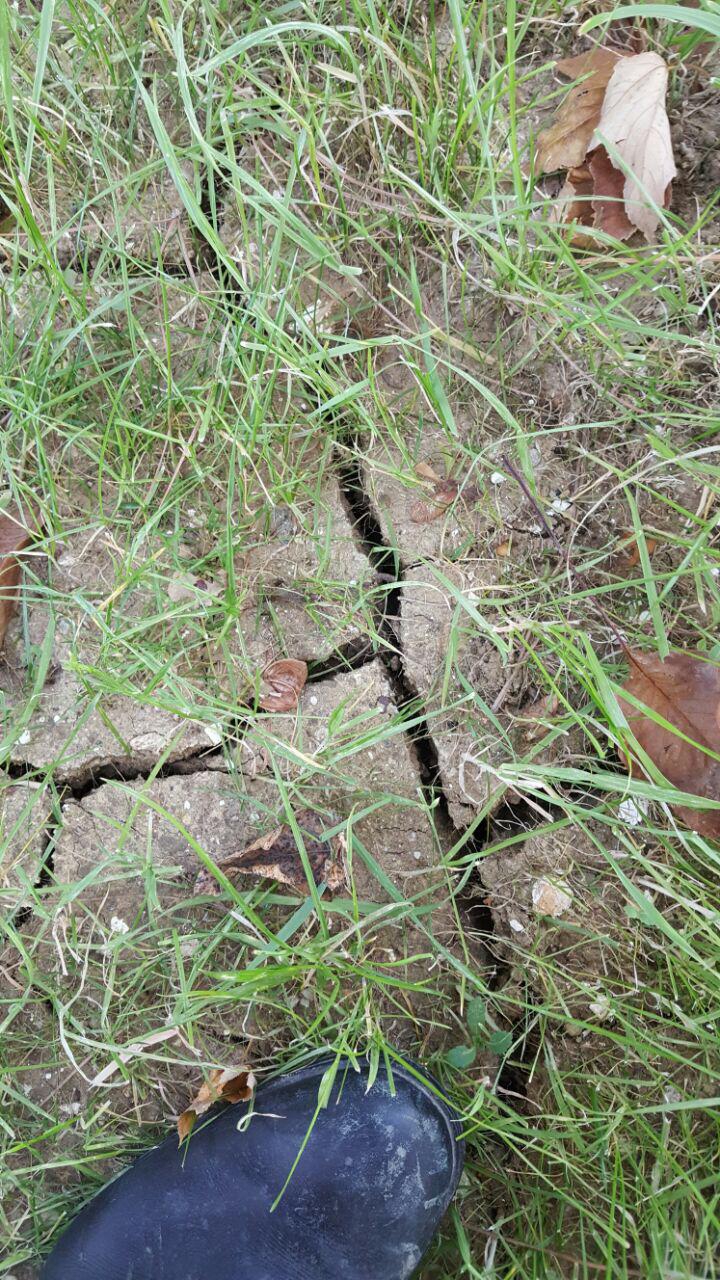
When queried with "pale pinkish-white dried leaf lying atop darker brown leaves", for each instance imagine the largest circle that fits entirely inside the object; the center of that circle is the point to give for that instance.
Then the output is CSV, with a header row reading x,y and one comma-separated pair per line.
x,y
635,121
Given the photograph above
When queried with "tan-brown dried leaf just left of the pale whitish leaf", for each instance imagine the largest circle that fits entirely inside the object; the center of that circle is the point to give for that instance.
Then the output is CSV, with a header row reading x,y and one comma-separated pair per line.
x,y
564,145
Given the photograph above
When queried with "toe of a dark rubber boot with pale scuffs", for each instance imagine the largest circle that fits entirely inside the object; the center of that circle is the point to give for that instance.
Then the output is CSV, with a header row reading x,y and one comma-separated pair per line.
x,y
371,1187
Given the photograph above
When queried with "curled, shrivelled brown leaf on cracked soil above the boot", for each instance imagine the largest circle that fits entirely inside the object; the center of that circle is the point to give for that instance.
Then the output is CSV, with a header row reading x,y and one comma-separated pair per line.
x,y
277,857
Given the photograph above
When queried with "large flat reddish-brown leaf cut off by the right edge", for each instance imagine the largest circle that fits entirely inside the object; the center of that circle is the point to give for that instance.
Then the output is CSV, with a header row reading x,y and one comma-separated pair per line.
x,y
685,691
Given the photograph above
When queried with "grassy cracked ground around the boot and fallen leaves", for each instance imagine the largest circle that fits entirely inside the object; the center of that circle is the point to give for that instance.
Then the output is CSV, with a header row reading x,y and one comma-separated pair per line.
x,y
253,259
